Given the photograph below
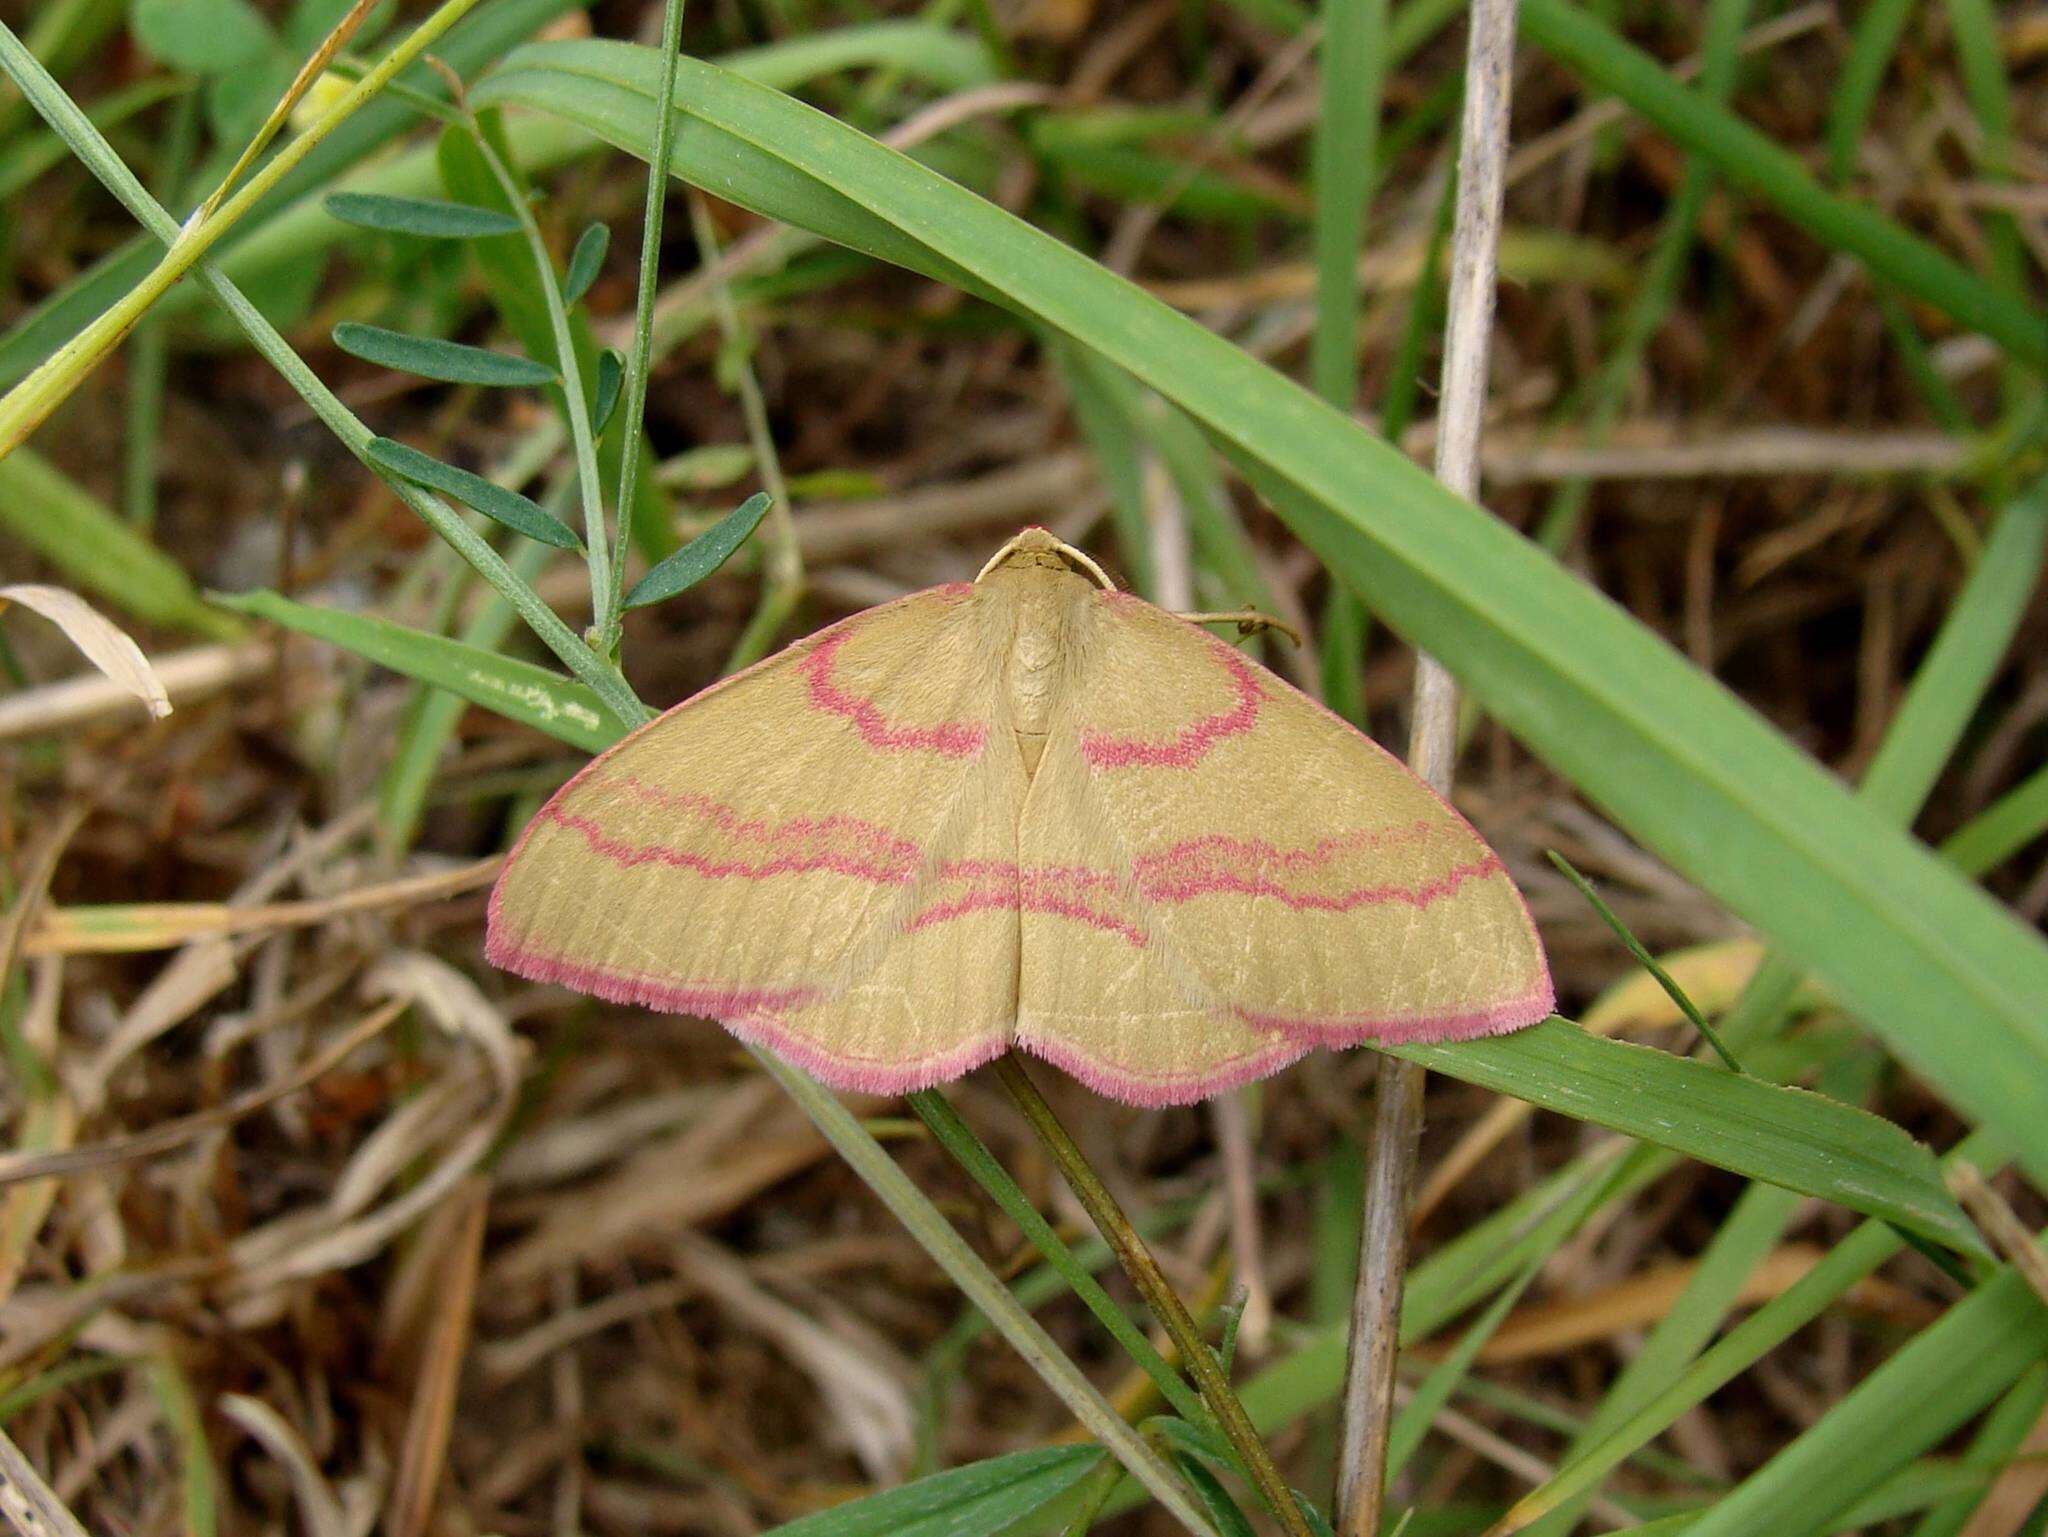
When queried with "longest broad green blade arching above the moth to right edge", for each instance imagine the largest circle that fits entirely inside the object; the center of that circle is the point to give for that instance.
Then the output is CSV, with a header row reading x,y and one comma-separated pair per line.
x,y
1949,979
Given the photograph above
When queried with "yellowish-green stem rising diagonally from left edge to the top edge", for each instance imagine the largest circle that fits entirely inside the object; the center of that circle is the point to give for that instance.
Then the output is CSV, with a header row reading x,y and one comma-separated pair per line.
x,y
32,403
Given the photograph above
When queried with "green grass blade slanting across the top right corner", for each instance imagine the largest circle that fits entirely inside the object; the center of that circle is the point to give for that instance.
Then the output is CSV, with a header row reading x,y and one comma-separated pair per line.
x,y
1754,161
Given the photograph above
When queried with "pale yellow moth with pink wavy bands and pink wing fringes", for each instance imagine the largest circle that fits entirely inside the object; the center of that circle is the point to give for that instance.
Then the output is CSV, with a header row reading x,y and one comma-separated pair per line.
x,y
1027,811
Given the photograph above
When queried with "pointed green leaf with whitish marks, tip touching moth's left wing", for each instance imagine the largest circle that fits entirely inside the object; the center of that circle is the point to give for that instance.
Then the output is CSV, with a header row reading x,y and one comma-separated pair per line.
x,y
519,692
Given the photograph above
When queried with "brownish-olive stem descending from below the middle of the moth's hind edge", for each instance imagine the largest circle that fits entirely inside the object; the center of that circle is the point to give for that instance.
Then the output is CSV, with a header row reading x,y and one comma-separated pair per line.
x,y
1158,1292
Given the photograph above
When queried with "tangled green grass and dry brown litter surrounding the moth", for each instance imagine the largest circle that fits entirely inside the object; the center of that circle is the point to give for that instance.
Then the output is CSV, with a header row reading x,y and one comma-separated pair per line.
x,y
361,415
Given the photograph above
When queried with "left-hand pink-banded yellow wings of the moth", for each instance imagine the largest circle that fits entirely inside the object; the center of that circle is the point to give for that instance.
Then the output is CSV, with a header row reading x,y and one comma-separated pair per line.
x,y
802,854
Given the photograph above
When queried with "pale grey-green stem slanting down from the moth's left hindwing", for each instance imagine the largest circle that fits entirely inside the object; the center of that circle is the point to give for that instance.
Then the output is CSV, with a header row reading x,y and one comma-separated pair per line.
x,y
980,1286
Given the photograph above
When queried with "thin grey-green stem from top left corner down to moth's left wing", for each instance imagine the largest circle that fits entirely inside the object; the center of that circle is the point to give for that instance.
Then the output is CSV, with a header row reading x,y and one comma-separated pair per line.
x,y
73,126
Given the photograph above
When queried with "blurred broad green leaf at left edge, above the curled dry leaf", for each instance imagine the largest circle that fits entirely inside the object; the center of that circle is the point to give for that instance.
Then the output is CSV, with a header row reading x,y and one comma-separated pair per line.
x,y
95,548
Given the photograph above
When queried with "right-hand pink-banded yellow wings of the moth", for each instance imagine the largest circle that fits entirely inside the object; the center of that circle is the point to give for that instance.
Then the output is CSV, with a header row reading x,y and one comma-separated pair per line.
x,y
1277,874
